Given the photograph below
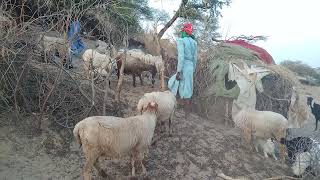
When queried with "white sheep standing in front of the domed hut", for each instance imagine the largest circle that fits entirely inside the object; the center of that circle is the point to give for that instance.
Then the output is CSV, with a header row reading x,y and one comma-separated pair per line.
x,y
263,125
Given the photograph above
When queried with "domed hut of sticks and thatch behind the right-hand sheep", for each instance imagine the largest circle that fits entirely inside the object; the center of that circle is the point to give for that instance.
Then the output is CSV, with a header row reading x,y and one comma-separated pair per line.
x,y
212,87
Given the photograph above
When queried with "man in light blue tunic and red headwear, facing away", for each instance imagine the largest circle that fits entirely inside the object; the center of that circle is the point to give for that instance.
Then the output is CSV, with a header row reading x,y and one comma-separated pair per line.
x,y
182,81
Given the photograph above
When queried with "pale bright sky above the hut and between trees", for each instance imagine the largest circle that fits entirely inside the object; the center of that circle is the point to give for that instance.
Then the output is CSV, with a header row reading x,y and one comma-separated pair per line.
x,y
292,26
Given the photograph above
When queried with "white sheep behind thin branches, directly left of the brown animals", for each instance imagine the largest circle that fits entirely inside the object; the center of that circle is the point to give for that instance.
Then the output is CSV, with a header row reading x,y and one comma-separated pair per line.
x,y
96,61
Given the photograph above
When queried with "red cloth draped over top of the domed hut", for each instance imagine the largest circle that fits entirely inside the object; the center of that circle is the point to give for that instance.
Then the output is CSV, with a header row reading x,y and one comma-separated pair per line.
x,y
262,53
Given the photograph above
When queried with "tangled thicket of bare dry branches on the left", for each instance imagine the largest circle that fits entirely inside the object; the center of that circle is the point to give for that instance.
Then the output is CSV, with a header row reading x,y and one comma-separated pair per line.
x,y
34,80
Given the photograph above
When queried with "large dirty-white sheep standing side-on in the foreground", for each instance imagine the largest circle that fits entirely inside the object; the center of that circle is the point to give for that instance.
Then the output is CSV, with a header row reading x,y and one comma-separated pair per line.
x,y
115,137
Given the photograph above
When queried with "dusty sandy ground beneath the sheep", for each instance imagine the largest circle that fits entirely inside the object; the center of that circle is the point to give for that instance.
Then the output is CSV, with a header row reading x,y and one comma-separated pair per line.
x,y
198,149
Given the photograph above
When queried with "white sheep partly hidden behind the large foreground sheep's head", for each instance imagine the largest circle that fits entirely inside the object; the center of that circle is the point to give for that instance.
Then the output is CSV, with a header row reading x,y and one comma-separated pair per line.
x,y
167,105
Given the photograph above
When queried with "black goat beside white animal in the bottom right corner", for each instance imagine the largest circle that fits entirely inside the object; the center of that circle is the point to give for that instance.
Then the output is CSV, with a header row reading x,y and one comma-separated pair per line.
x,y
296,145
